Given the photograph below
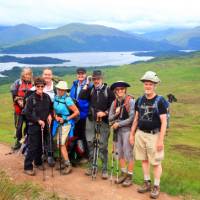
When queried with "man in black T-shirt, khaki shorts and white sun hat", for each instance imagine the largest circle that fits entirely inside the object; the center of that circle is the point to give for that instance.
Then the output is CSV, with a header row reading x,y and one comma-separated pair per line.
x,y
148,131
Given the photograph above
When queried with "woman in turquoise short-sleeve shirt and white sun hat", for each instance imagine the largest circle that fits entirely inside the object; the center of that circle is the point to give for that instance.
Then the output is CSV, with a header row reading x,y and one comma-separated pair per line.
x,y
65,111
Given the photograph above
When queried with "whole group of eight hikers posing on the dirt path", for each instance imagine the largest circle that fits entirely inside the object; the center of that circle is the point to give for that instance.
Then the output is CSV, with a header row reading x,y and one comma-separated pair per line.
x,y
77,121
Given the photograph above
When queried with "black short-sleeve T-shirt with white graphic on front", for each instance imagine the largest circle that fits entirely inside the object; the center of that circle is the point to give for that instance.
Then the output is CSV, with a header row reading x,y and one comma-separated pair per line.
x,y
149,115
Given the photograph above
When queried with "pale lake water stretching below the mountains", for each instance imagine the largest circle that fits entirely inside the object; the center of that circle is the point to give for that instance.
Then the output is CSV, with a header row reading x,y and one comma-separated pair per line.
x,y
88,59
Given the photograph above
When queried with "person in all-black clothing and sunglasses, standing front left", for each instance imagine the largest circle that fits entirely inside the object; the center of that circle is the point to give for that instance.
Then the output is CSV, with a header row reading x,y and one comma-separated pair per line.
x,y
38,111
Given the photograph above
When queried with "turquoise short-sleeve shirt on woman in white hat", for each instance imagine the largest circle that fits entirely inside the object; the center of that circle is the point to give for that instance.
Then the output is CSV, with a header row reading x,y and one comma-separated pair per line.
x,y
61,105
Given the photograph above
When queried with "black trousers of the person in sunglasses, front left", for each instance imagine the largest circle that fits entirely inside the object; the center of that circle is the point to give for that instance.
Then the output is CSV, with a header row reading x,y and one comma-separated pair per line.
x,y
34,152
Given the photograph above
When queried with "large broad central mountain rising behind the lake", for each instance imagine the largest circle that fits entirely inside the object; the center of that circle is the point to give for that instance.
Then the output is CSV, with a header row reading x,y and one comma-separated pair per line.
x,y
77,37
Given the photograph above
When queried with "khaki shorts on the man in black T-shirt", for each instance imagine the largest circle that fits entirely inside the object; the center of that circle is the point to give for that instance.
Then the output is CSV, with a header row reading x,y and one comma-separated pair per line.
x,y
145,148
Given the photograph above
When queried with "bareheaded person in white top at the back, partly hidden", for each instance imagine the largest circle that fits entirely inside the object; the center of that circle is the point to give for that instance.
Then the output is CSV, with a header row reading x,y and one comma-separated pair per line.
x,y
49,89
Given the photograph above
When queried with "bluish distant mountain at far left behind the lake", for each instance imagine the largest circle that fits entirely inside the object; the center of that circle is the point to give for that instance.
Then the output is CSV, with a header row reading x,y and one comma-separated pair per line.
x,y
11,35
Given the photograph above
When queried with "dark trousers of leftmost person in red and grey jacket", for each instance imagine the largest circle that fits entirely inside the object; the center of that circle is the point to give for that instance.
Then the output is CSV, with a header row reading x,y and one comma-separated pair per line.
x,y
19,120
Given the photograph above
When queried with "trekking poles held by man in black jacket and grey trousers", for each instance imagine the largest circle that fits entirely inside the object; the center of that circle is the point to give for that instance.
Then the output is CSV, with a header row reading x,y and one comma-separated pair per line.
x,y
96,149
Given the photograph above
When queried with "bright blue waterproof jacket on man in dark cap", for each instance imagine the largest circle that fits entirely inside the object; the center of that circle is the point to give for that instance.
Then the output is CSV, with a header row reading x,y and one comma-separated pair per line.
x,y
82,104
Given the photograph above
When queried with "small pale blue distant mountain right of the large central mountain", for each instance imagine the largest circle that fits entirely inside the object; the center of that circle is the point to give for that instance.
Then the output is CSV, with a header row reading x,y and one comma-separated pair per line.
x,y
162,34
